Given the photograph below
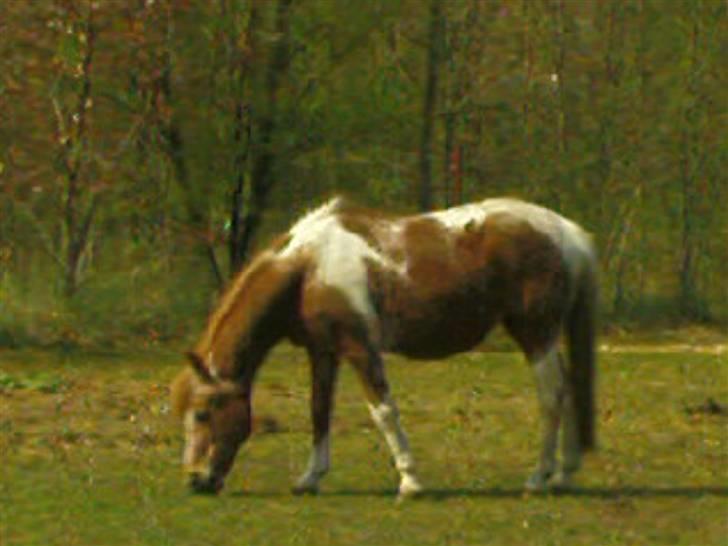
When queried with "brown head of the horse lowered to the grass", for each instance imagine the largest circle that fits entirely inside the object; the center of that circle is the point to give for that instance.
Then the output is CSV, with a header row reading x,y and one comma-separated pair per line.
x,y
216,415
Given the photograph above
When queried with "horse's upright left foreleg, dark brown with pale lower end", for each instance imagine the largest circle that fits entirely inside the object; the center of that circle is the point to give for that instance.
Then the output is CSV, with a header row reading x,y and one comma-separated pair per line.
x,y
323,378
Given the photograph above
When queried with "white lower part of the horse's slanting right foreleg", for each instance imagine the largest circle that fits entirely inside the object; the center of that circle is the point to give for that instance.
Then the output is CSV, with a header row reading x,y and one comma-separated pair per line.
x,y
386,417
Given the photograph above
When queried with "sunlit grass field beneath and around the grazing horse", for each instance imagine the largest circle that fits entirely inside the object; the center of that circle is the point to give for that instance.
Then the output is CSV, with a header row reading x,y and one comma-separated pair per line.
x,y
89,455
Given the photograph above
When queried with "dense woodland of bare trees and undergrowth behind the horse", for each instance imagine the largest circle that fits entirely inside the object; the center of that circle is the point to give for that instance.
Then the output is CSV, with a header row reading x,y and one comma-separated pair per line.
x,y
148,147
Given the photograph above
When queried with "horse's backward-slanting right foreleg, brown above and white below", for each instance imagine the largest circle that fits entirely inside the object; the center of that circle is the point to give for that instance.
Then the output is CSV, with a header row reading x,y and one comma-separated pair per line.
x,y
385,414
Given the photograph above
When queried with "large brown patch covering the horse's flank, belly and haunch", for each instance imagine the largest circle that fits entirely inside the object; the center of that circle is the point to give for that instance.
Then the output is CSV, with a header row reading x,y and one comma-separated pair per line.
x,y
463,282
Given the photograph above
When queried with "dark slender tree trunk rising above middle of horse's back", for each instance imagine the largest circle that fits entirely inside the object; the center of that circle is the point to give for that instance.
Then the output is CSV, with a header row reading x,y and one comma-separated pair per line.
x,y
428,111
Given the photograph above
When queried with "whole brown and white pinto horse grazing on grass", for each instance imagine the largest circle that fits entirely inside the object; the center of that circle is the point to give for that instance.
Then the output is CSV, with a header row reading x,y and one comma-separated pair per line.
x,y
347,283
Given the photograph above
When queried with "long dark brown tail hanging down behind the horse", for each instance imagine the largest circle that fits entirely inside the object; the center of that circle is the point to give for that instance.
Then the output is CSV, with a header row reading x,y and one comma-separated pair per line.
x,y
581,333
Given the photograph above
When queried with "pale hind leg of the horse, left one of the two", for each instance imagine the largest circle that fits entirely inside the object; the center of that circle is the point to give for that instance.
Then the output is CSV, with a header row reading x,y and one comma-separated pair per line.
x,y
550,382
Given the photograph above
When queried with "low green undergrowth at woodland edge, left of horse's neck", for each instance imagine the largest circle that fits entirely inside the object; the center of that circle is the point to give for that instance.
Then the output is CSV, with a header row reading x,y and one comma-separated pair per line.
x,y
143,305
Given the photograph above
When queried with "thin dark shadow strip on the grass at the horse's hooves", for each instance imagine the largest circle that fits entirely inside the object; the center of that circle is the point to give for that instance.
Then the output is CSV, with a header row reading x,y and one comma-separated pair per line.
x,y
687,492
